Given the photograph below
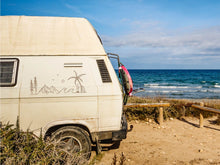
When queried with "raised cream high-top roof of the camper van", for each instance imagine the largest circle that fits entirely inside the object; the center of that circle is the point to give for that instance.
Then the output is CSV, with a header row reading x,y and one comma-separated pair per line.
x,y
31,35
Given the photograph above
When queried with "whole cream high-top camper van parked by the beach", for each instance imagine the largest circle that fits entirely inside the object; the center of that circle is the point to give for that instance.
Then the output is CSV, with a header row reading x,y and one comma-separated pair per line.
x,y
57,79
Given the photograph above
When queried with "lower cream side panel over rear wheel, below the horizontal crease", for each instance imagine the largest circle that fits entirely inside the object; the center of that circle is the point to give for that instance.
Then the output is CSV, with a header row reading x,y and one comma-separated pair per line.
x,y
39,113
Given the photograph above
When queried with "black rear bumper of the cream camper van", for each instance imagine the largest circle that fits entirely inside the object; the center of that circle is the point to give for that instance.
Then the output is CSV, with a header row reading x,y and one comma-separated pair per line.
x,y
112,135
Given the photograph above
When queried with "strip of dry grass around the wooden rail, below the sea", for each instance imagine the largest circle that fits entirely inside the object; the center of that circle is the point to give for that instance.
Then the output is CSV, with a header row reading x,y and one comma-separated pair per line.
x,y
178,108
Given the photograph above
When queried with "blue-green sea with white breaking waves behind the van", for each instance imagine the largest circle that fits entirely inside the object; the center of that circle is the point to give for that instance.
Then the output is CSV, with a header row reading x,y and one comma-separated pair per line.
x,y
177,84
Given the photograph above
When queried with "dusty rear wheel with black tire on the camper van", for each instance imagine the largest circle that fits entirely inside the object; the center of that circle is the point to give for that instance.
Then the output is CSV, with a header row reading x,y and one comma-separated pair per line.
x,y
73,140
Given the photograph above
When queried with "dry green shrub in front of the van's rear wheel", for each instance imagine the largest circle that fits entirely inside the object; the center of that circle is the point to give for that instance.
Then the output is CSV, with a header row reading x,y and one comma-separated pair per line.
x,y
24,148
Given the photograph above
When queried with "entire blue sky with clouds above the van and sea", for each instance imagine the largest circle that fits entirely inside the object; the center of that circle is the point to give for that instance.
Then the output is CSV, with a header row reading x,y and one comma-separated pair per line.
x,y
147,34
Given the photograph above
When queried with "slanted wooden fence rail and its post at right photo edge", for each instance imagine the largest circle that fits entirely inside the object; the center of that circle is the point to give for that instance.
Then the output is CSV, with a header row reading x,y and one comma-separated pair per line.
x,y
201,107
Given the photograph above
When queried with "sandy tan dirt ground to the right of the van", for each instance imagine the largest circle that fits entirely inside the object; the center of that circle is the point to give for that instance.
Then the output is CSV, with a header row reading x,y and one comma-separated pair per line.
x,y
176,142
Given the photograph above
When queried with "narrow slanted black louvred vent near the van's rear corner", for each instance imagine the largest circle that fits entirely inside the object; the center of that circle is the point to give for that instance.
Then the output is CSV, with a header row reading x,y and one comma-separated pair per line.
x,y
103,71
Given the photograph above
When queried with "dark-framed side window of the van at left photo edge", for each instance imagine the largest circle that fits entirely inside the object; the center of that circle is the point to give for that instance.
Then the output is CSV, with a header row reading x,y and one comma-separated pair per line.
x,y
8,71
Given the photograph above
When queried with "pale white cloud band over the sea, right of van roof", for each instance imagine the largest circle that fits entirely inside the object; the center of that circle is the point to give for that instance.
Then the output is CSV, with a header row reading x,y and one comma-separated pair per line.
x,y
200,42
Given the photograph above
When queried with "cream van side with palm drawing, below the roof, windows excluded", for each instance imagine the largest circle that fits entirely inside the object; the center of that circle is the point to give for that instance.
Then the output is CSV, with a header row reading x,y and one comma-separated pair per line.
x,y
62,90
